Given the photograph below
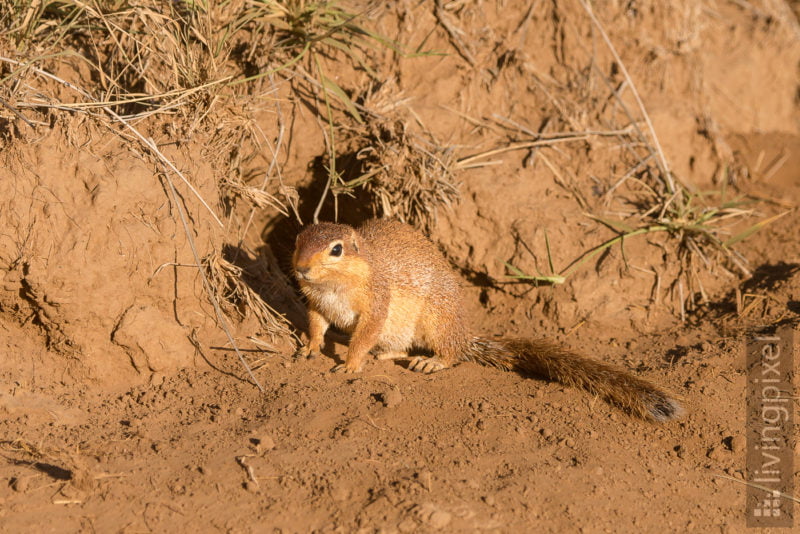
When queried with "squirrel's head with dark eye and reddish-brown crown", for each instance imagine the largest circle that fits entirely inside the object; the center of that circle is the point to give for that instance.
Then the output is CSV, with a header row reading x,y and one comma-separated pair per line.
x,y
325,252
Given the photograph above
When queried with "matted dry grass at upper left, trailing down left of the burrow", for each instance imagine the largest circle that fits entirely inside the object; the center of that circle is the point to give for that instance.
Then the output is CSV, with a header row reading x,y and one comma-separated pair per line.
x,y
145,69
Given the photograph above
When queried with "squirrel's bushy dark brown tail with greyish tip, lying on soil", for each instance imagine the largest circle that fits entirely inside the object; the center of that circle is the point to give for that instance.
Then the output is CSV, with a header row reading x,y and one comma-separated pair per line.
x,y
549,360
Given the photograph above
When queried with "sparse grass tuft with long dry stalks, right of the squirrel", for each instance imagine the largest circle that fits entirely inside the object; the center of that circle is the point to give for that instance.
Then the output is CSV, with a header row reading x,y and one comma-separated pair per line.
x,y
698,224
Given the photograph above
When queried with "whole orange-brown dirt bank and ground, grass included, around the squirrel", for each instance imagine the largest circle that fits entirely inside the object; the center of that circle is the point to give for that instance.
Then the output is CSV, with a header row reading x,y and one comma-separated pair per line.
x,y
592,176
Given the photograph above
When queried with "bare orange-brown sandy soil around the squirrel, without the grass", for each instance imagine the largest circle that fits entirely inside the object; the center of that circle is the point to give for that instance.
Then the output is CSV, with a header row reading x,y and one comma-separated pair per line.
x,y
122,408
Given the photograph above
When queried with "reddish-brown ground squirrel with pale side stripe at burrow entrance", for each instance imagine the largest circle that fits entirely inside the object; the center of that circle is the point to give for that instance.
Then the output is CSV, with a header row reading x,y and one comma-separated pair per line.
x,y
389,287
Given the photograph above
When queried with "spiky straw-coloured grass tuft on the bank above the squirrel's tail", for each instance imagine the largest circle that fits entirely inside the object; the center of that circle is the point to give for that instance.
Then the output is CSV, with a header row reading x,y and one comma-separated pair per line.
x,y
702,228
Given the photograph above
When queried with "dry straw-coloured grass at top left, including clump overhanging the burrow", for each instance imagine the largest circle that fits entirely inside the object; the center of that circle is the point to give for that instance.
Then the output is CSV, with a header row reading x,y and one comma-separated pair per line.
x,y
206,66
